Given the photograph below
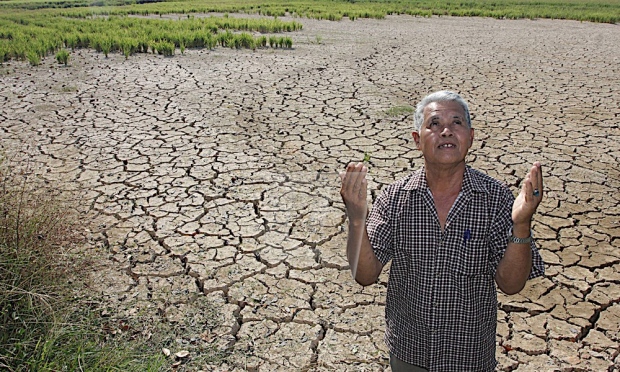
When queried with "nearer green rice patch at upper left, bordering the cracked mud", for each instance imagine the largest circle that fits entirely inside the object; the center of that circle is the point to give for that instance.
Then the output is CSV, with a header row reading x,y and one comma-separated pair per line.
x,y
29,36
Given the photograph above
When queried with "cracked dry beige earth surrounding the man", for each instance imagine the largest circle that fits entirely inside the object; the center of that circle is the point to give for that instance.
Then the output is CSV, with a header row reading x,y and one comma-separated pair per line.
x,y
210,178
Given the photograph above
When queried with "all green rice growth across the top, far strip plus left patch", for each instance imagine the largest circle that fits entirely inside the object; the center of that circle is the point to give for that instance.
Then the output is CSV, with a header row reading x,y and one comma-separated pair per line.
x,y
32,29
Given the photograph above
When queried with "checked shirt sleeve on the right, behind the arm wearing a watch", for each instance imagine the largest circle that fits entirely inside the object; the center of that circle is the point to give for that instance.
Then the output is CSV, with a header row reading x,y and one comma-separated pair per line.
x,y
500,231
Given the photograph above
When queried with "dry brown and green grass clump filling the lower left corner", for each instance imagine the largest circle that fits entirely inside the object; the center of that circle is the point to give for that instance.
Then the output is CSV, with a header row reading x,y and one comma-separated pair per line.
x,y
43,326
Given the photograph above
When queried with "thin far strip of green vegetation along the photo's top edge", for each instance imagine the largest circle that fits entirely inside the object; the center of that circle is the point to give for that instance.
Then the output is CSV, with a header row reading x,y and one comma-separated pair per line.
x,y
581,10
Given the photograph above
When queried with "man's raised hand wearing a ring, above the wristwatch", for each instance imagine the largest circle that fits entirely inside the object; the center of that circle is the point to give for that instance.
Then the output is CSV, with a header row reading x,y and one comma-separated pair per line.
x,y
529,198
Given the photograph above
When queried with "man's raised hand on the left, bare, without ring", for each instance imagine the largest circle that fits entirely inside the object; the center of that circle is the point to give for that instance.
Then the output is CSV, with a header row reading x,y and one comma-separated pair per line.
x,y
353,191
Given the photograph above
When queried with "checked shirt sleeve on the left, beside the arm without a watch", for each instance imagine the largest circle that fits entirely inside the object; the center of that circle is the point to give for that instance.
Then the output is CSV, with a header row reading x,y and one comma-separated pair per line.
x,y
379,228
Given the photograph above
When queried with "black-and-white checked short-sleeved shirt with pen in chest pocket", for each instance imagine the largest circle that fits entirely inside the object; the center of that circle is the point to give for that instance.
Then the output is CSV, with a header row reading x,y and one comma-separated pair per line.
x,y
441,306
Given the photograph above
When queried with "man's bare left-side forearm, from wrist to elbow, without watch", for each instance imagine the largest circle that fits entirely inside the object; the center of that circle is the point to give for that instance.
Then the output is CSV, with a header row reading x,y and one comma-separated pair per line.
x,y
364,264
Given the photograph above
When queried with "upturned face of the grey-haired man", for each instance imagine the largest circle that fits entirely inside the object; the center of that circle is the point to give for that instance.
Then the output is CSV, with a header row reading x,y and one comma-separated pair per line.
x,y
444,138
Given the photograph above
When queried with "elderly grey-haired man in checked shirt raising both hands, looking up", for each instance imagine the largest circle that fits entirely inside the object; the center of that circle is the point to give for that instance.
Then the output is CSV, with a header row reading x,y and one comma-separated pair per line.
x,y
450,231
